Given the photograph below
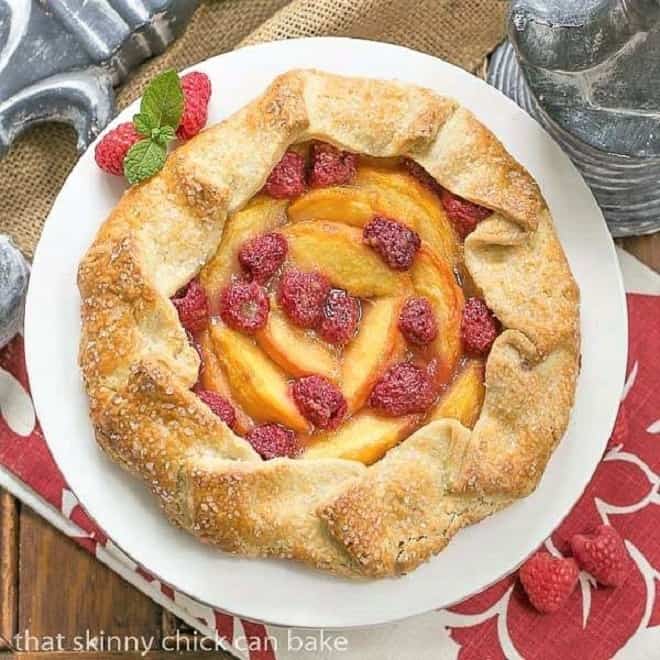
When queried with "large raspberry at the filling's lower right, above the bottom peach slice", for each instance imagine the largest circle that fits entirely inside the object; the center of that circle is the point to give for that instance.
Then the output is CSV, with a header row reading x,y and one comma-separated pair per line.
x,y
404,388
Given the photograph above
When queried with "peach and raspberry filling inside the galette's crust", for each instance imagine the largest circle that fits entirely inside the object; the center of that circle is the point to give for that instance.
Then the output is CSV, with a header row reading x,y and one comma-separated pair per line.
x,y
356,390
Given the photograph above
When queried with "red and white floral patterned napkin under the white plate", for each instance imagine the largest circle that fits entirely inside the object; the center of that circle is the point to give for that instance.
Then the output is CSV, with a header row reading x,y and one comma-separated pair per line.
x,y
496,623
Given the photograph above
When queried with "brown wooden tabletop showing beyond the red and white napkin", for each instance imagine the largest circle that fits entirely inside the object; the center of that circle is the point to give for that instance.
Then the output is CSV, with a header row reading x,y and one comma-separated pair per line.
x,y
49,585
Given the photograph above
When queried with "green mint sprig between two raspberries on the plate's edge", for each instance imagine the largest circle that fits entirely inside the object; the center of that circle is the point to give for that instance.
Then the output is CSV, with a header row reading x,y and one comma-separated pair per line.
x,y
160,113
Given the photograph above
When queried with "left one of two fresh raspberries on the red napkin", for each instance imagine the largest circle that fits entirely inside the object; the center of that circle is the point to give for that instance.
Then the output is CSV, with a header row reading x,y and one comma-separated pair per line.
x,y
548,581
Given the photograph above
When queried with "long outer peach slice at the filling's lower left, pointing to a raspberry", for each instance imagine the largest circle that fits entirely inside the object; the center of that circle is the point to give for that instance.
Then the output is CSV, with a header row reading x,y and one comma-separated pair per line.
x,y
259,386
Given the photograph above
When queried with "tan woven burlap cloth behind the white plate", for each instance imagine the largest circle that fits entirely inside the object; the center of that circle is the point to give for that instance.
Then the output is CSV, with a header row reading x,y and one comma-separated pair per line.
x,y
460,31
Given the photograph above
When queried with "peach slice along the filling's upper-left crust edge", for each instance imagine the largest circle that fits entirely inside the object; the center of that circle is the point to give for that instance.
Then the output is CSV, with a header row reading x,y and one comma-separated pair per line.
x,y
262,214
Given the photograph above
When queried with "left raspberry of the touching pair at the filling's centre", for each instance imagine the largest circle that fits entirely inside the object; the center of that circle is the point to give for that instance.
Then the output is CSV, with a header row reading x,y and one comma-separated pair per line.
x,y
302,295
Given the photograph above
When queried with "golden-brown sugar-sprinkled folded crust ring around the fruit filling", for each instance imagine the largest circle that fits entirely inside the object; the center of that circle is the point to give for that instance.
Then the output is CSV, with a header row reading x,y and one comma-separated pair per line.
x,y
333,514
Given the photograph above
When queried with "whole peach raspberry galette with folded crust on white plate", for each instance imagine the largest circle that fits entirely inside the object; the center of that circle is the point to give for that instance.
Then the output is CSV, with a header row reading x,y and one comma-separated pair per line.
x,y
336,327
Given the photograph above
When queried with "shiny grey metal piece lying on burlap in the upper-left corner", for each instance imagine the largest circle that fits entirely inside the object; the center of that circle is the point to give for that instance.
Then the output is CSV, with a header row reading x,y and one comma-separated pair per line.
x,y
60,59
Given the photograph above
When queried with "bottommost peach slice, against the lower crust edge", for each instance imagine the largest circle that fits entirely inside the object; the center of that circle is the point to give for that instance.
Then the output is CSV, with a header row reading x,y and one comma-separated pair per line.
x,y
365,437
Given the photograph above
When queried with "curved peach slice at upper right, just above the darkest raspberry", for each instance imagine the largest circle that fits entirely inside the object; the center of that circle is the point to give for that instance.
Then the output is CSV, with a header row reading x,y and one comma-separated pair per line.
x,y
402,197
